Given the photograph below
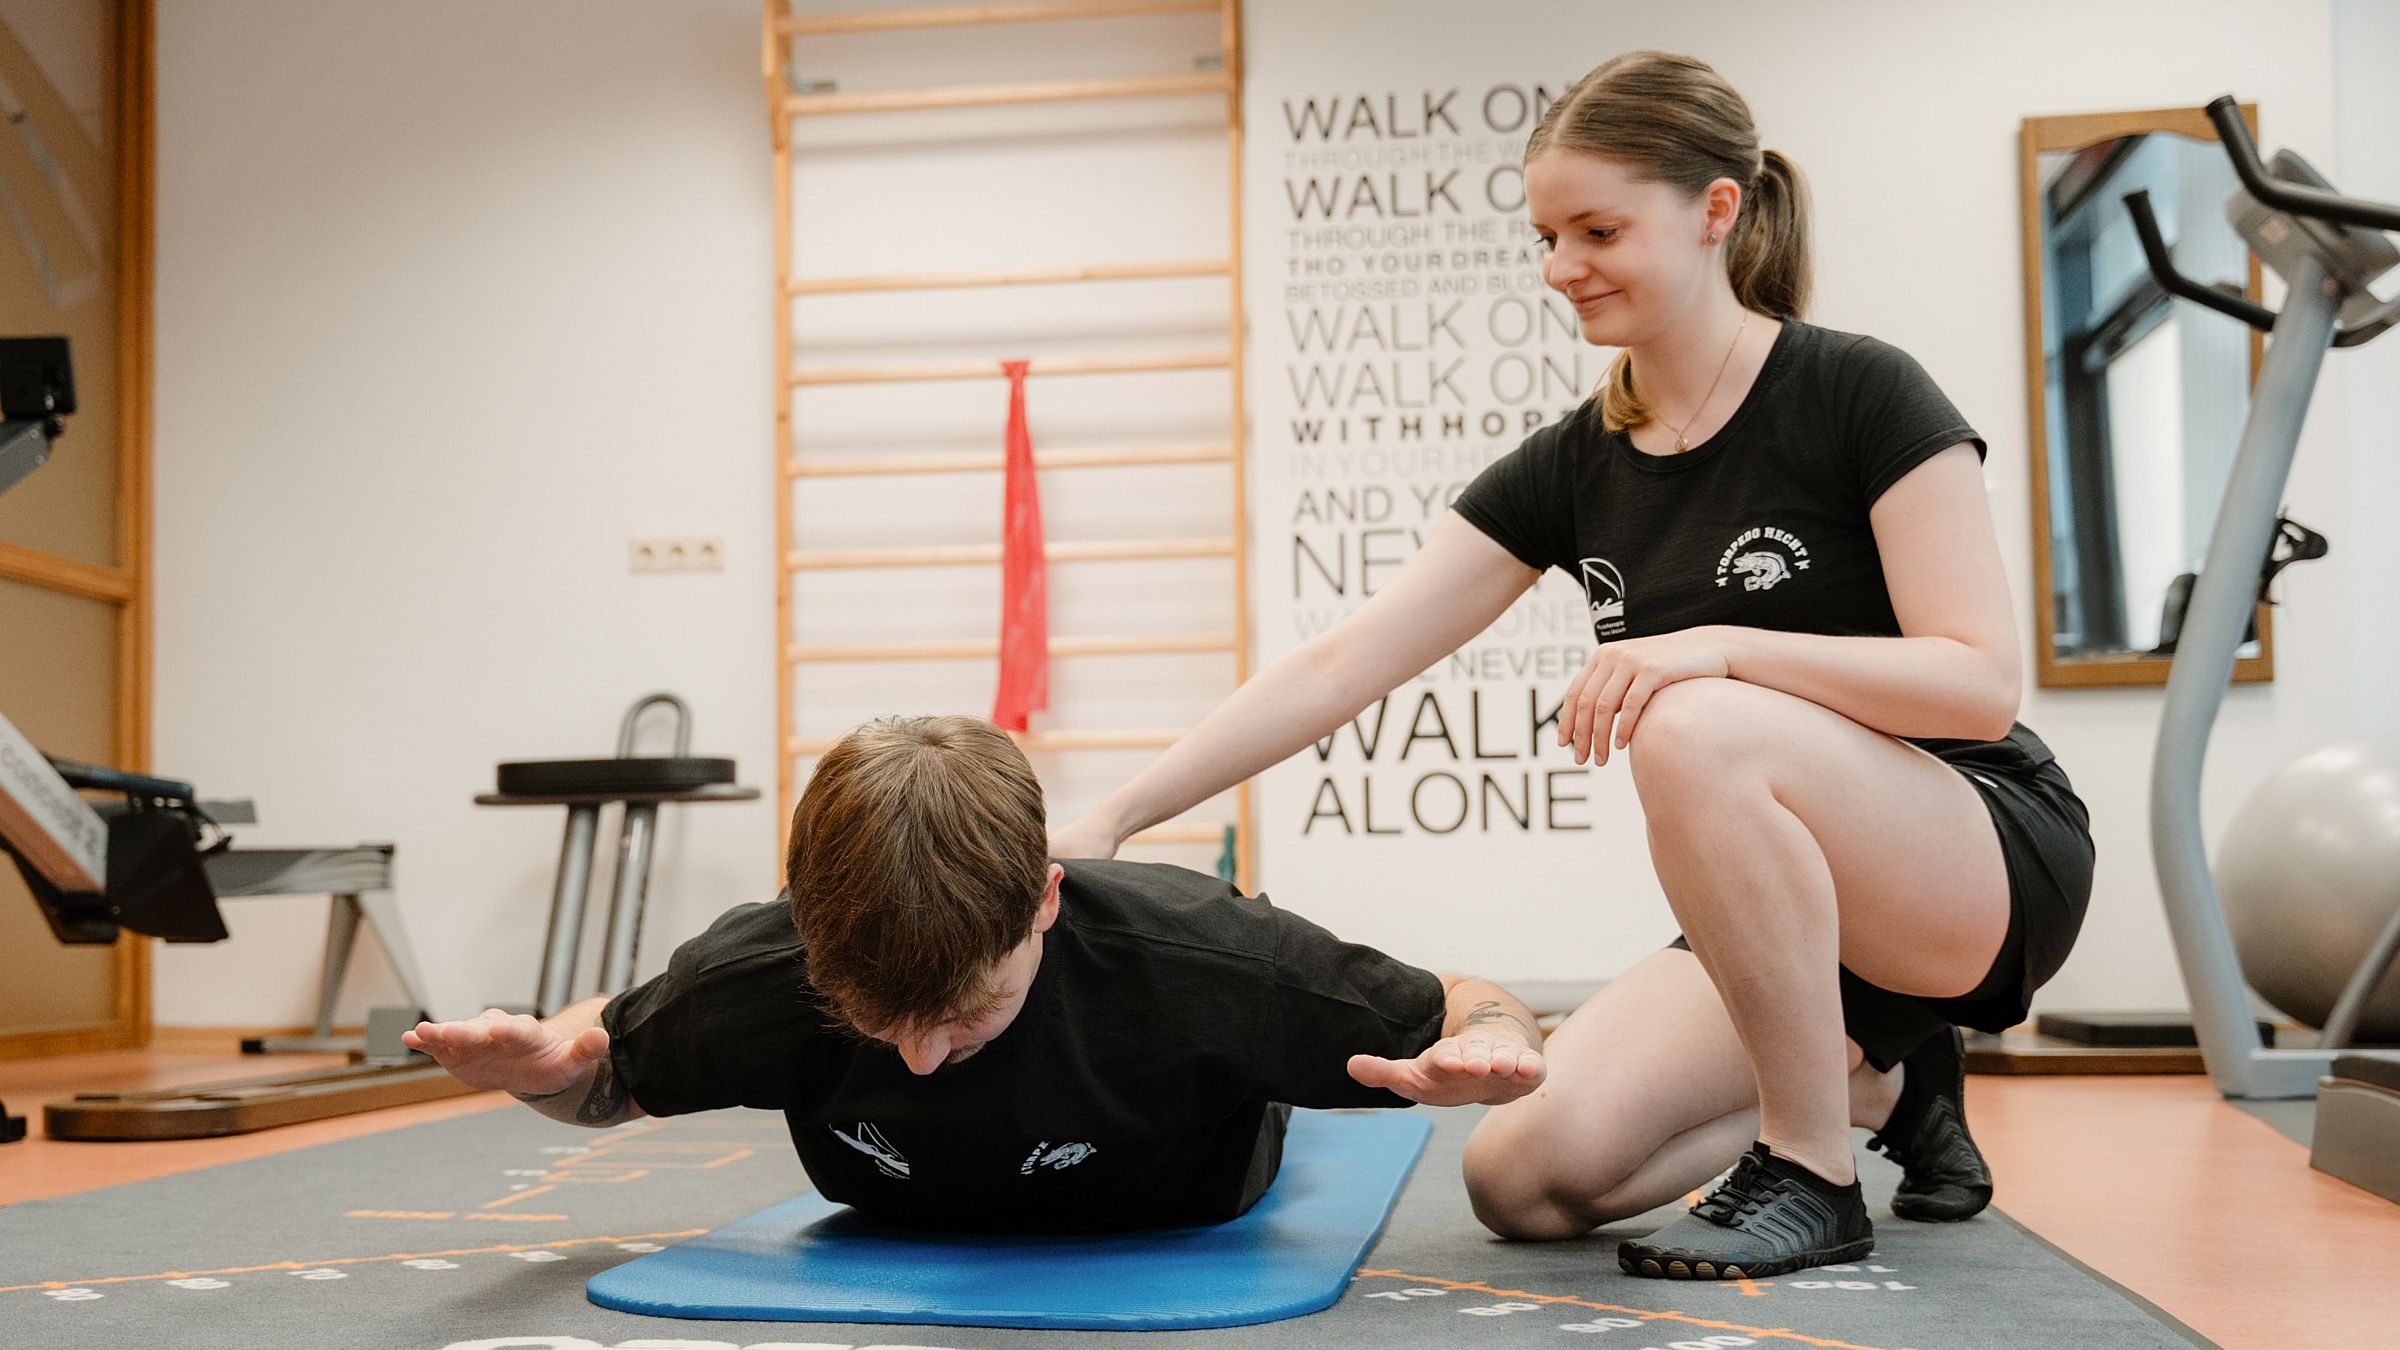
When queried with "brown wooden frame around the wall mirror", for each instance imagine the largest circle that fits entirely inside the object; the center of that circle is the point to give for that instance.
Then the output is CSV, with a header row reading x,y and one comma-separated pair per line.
x,y
2039,138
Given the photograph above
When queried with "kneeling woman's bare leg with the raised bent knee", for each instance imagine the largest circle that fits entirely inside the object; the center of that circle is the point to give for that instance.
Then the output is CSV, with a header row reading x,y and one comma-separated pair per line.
x,y
1794,842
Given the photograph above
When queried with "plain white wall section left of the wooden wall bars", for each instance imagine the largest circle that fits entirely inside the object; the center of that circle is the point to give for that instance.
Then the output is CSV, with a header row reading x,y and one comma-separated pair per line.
x,y
452,301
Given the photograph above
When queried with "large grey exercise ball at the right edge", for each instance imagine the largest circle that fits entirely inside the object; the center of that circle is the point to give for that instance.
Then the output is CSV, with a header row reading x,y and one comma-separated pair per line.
x,y
2310,873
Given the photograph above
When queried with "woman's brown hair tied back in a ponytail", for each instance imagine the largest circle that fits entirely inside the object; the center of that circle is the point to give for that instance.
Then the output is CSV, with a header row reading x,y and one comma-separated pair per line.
x,y
1672,119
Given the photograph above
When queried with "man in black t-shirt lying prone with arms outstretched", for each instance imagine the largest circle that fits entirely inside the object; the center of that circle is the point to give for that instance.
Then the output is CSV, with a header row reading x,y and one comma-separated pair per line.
x,y
968,1037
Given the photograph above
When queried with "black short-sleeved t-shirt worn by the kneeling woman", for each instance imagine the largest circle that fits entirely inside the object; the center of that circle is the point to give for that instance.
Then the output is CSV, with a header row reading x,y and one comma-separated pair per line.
x,y
1765,525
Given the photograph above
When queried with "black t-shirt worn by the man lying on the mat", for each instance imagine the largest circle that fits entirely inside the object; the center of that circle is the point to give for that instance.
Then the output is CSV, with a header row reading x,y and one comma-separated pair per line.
x,y
1139,1085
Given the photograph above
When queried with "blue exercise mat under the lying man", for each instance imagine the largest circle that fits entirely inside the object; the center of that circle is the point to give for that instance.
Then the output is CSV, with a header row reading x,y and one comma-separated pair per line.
x,y
812,1260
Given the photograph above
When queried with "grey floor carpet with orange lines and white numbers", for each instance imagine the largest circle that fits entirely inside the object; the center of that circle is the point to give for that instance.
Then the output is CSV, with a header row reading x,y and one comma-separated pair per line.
x,y
479,1233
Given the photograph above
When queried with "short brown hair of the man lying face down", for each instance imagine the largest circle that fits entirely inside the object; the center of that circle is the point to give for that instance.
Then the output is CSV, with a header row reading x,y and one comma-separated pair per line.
x,y
918,861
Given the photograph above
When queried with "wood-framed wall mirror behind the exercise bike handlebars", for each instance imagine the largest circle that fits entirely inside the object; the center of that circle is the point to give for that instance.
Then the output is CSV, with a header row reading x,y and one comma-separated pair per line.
x,y
2137,400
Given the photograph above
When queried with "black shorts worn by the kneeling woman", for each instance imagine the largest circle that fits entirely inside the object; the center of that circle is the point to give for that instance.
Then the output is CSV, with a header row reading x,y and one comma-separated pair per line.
x,y
2048,852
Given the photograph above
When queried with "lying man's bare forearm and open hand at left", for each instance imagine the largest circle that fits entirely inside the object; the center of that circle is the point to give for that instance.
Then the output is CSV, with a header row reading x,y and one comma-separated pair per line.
x,y
556,1065
